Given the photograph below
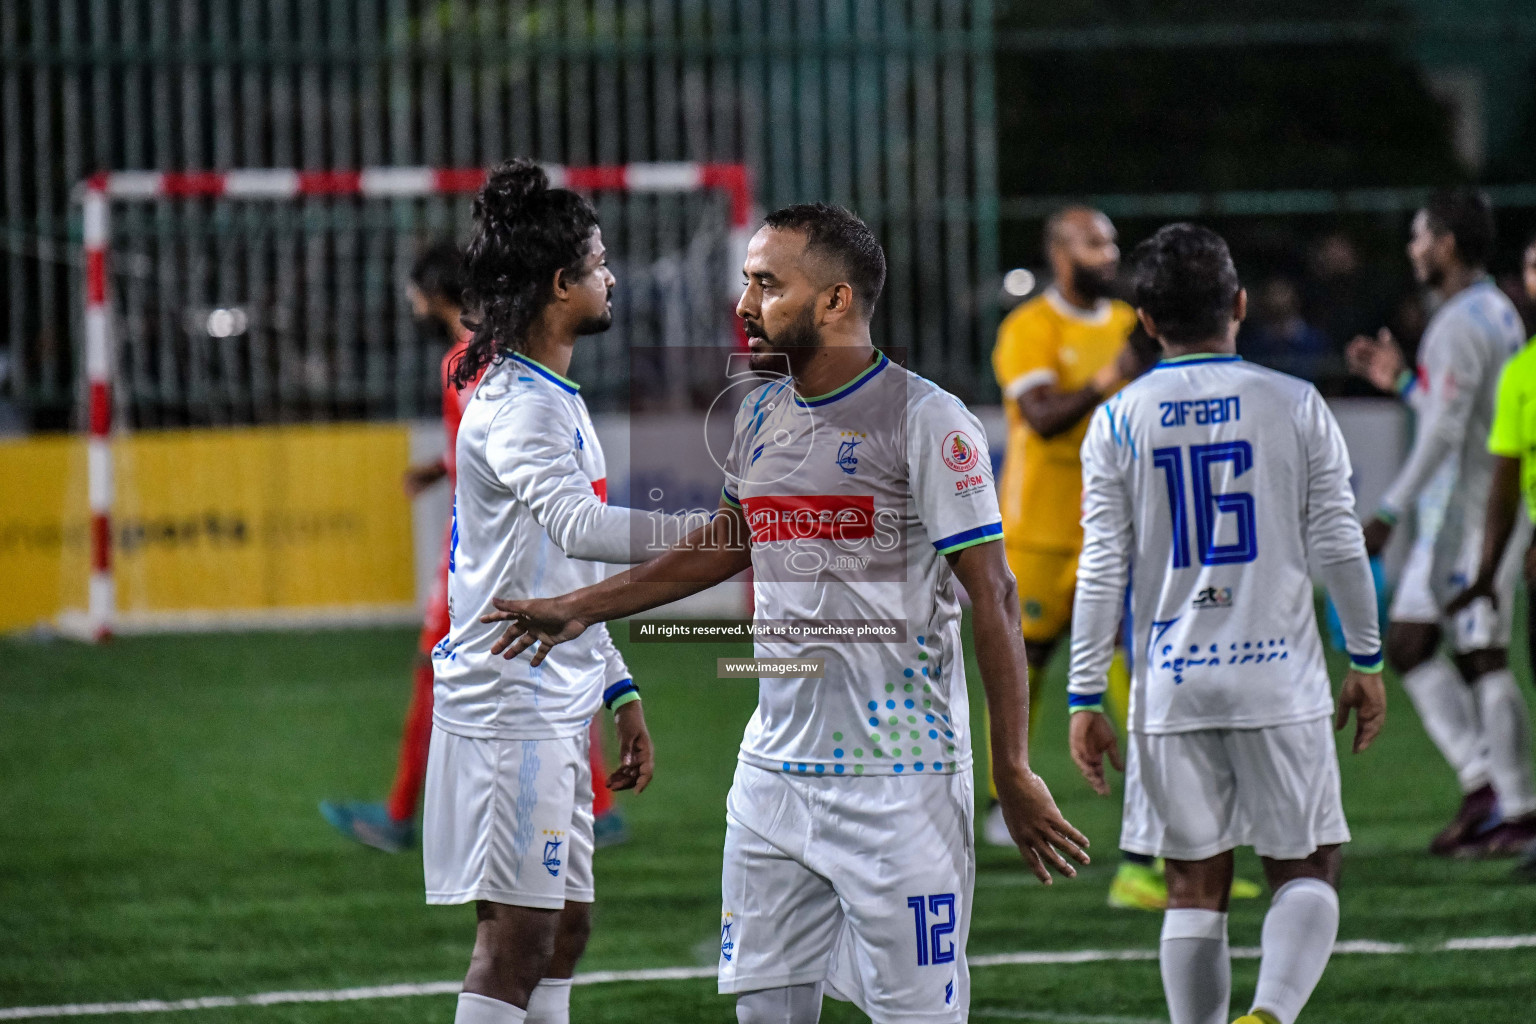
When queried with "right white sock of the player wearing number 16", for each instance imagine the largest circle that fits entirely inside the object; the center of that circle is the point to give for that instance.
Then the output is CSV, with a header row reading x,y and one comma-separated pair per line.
x,y
1300,930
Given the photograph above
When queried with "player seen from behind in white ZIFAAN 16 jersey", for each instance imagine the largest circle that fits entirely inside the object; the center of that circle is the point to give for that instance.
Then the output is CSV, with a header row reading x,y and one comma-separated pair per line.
x,y
1210,484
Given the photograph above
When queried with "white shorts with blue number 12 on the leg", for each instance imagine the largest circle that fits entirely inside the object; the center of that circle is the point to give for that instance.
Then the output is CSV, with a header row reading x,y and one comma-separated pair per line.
x,y
862,884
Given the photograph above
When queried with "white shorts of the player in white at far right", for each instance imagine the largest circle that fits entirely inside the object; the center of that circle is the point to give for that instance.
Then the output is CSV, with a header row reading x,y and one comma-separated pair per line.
x,y
1432,576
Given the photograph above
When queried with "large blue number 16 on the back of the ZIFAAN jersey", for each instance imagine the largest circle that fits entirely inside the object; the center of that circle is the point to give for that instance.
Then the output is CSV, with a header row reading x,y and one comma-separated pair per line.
x,y
1208,503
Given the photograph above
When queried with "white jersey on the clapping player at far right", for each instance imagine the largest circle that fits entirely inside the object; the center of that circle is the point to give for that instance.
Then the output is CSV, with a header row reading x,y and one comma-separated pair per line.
x,y
1465,348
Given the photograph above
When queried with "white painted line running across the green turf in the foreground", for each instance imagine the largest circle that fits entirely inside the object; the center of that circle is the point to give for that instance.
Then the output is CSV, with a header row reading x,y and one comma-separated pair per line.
x,y
687,974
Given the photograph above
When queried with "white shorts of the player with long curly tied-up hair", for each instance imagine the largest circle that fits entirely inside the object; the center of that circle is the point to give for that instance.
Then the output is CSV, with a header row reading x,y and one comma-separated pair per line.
x,y
508,821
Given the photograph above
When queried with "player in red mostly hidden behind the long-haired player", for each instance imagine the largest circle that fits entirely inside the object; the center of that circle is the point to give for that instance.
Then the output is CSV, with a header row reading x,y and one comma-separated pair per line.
x,y
437,303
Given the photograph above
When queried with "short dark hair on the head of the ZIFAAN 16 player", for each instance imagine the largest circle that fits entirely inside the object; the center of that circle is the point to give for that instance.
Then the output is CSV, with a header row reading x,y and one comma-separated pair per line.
x,y
1185,280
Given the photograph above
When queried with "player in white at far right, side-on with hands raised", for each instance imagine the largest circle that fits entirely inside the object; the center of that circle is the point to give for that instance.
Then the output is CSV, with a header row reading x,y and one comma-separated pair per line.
x,y
1471,704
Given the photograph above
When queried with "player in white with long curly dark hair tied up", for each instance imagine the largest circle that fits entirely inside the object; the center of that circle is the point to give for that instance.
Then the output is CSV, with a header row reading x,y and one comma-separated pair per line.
x,y
508,818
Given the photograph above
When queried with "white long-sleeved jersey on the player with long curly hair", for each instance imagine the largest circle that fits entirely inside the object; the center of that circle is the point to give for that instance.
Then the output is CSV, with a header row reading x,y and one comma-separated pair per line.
x,y
531,520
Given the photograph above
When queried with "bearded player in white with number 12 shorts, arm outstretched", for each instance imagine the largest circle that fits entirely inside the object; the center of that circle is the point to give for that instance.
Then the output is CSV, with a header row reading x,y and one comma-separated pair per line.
x,y
856,492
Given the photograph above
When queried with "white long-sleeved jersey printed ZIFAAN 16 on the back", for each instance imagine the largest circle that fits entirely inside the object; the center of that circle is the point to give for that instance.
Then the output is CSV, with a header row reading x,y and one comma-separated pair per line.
x,y
1210,484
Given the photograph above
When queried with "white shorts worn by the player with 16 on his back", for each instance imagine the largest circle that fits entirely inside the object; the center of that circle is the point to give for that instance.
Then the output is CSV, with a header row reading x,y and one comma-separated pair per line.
x,y
1191,796
